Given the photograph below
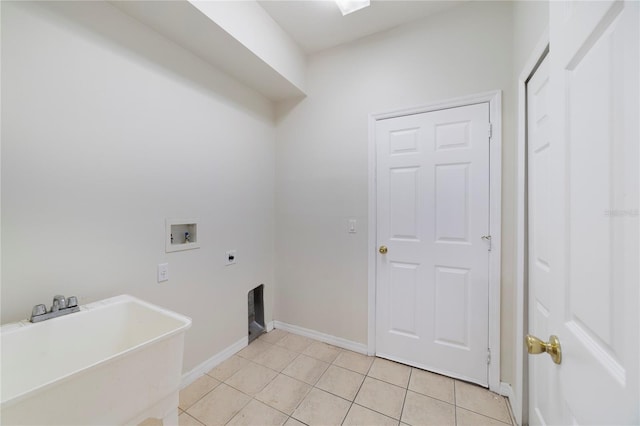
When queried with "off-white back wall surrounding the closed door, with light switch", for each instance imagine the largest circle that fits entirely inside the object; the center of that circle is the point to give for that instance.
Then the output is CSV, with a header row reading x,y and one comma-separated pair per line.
x,y
321,160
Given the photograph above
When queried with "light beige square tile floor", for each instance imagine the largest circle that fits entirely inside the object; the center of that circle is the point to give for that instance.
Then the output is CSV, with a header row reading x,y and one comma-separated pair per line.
x,y
282,378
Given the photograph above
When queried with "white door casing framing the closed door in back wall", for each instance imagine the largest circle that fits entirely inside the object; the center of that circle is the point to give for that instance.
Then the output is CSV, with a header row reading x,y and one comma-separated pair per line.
x,y
494,98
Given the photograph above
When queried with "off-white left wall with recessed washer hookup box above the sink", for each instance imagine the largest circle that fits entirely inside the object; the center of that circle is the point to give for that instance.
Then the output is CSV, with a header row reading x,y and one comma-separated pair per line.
x,y
108,129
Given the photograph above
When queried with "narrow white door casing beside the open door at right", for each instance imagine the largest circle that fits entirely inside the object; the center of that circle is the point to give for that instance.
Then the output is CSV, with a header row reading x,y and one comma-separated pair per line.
x,y
521,383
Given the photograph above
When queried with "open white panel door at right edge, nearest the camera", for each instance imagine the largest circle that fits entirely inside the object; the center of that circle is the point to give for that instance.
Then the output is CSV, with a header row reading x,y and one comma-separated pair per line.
x,y
588,291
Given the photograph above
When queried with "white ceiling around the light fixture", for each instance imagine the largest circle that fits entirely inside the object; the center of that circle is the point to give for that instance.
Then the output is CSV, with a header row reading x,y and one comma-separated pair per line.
x,y
318,24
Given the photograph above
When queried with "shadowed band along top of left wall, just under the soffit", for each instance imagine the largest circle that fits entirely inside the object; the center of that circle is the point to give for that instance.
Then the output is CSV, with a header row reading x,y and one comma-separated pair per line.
x,y
105,23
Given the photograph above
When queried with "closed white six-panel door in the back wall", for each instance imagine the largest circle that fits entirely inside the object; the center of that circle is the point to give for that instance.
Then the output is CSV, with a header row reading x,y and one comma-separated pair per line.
x,y
432,214
